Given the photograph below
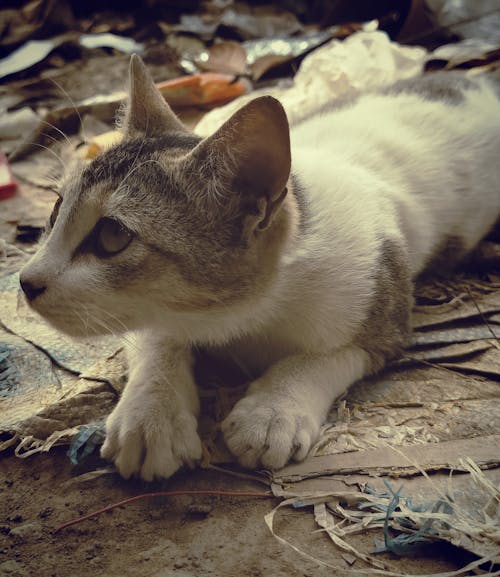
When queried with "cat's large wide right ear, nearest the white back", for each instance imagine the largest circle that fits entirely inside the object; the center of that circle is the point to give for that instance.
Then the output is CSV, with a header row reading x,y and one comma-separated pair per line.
x,y
248,162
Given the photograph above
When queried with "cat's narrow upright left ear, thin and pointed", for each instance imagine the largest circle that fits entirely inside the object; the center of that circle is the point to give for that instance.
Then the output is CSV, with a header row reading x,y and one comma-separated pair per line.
x,y
147,113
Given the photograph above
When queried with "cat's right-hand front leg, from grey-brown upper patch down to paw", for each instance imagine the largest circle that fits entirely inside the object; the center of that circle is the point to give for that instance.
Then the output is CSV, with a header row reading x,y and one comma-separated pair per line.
x,y
283,411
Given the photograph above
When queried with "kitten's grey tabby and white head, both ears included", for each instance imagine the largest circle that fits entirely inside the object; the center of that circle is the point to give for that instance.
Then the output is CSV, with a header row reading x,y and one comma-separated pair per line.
x,y
165,223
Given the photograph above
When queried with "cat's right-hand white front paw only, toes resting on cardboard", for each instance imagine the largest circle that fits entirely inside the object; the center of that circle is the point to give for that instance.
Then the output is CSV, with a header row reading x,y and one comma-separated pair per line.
x,y
264,428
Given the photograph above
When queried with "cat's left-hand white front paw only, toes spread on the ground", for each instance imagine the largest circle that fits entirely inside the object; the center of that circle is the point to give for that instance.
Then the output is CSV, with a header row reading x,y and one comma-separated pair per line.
x,y
150,439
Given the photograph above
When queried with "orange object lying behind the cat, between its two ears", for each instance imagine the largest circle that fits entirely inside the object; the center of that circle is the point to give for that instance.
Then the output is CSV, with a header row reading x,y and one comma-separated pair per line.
x,y
205,89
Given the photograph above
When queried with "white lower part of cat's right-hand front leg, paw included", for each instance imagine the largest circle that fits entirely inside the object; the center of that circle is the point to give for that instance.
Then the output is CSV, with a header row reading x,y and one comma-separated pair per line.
x,y
281,415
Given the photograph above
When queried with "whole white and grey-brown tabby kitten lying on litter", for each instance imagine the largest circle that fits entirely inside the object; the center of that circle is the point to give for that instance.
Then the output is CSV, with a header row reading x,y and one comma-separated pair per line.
x,y
304,274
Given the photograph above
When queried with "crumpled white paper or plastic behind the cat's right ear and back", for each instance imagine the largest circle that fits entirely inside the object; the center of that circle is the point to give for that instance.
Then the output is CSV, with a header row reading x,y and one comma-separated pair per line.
x,y
365,60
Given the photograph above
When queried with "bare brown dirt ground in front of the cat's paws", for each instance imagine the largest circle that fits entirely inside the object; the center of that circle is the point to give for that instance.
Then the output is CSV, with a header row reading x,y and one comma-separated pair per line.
x,y
179,536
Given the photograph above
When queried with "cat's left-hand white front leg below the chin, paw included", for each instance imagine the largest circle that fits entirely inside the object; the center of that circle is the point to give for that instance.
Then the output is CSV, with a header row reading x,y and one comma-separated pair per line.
x,y
152,431
